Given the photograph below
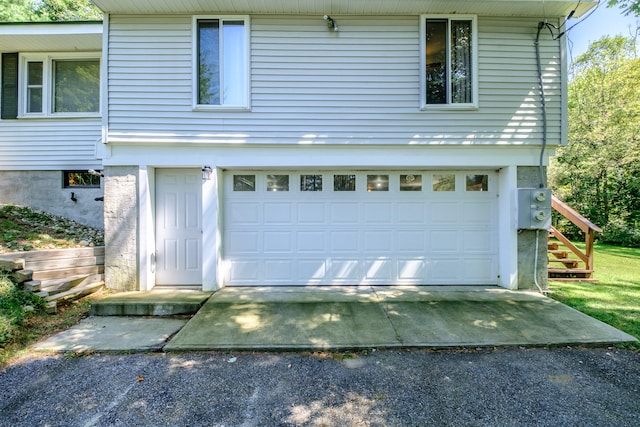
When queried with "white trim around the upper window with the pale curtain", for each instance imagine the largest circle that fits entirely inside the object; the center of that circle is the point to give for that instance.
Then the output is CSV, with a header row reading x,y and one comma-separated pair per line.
x,y
194,67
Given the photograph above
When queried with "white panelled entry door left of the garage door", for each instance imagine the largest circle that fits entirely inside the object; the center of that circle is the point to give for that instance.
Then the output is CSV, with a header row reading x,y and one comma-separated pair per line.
x,y
179,227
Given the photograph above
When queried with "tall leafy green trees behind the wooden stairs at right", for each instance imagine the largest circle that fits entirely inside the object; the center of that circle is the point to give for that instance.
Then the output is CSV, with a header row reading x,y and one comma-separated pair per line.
x,y
598,172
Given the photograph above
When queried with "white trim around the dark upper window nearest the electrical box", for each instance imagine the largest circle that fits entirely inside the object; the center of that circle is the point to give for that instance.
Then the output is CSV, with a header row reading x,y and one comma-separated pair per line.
x,y
474,63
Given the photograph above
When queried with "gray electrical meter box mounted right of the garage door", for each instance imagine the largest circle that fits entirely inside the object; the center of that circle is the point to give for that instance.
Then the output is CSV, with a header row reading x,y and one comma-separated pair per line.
x,y
534,208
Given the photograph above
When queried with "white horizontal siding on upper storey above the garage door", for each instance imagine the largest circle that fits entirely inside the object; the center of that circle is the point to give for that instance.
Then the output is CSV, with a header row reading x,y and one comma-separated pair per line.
x,y
360,85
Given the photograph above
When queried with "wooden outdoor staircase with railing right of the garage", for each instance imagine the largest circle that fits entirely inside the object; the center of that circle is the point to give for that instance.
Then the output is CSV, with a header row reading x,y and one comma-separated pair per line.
x,y
566,261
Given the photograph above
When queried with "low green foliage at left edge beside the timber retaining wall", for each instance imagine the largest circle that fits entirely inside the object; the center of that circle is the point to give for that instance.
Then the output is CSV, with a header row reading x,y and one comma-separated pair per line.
x,y
13,307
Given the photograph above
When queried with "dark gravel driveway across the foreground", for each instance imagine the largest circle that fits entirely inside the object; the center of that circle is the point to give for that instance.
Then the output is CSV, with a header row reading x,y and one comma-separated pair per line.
x,y
486,387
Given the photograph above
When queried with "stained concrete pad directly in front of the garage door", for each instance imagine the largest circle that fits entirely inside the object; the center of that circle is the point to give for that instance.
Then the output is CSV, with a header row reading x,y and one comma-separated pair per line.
x,y
365,317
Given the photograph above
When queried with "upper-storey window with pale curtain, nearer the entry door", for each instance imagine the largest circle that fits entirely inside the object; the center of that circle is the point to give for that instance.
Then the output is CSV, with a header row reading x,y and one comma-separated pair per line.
x,y
221,62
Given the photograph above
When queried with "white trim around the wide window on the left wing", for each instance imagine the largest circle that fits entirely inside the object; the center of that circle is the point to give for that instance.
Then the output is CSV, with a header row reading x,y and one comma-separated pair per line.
x,y
47,60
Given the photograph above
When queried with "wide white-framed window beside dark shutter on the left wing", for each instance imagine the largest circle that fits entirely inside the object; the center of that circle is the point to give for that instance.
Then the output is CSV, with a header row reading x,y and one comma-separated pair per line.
x,y
59,85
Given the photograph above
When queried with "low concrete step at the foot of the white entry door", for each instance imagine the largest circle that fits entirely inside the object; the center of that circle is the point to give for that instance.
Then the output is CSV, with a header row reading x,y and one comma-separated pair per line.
x,y
152,303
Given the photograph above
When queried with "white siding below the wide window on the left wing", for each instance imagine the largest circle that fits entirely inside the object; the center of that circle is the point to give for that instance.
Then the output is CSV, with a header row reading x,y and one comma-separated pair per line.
x,y
49,144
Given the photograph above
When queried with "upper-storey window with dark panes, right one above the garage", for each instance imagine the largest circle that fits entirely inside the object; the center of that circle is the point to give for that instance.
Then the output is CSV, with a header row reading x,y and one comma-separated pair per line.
x,y
448,61
